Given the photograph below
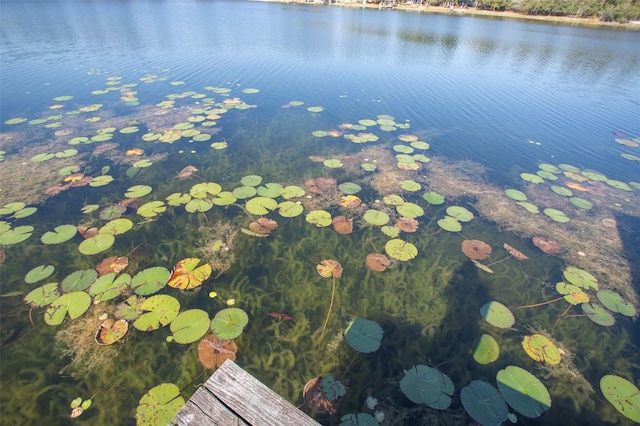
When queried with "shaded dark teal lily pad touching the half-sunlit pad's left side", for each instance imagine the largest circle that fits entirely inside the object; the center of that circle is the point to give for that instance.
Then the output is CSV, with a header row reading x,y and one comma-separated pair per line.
x,y
483,403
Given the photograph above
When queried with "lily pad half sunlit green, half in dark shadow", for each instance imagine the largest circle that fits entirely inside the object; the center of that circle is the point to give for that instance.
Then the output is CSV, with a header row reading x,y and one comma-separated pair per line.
x,y
523,391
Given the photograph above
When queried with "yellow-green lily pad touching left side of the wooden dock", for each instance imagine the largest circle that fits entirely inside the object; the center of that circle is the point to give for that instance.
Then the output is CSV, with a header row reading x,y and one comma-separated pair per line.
x,y
159,405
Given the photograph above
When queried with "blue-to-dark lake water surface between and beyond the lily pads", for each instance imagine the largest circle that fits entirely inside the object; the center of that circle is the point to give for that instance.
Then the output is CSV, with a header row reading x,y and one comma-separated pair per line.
x,y
503,94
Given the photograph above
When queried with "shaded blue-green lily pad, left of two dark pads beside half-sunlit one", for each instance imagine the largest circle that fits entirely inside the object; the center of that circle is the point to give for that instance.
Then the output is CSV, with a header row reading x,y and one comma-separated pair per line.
x,y
427,385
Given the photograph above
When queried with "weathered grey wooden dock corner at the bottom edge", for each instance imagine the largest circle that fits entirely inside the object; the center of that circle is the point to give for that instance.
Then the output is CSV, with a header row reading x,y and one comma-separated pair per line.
x,y
232,396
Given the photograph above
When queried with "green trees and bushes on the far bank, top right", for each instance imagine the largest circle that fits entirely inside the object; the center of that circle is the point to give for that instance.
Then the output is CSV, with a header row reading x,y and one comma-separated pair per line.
x,y
621,11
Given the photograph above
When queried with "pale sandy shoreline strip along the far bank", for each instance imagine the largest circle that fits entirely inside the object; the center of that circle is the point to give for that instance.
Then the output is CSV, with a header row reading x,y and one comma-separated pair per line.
x,y
489,14
